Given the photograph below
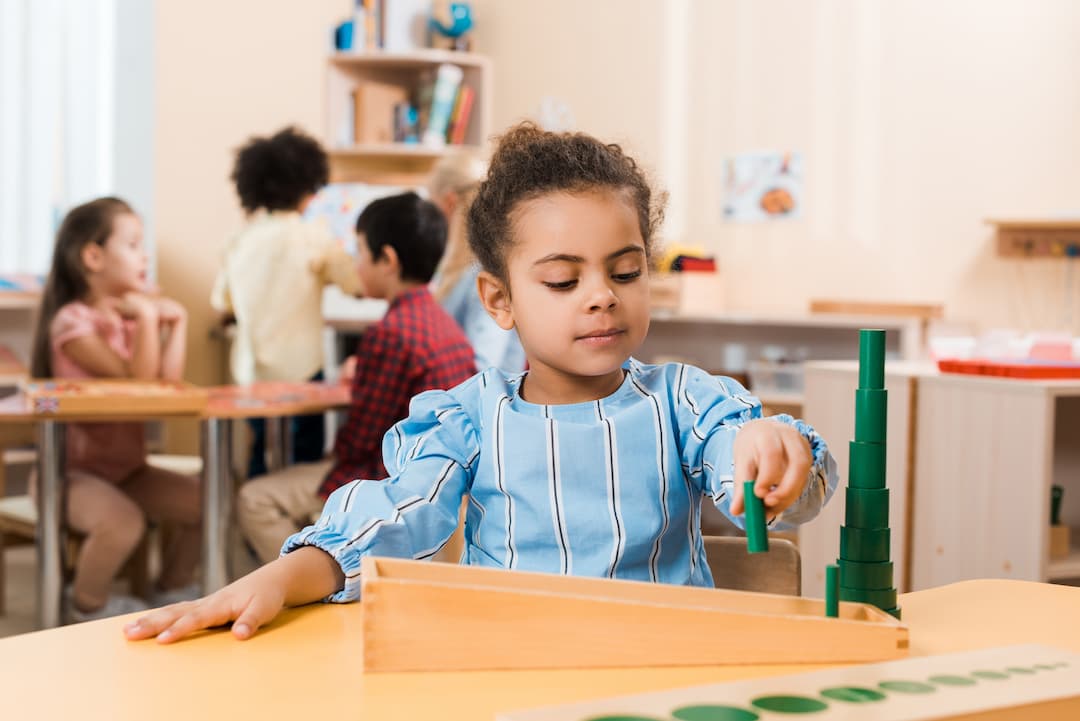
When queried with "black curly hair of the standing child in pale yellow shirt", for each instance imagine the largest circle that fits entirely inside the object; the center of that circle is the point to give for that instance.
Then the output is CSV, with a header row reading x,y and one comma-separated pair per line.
x,y
277,173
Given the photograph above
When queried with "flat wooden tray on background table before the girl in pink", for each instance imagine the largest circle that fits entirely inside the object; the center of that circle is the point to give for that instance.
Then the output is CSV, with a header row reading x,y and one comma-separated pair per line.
x,y
123,398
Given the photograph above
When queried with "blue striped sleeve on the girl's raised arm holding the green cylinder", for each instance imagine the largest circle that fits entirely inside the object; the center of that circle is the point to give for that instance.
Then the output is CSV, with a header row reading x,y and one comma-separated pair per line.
x,y
710,411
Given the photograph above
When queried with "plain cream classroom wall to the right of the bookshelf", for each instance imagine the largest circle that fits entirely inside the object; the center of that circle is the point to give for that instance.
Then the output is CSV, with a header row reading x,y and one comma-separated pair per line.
x,y
917,120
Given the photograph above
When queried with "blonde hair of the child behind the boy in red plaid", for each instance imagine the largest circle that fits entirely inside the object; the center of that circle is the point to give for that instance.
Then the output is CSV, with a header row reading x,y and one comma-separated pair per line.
x,y
461,174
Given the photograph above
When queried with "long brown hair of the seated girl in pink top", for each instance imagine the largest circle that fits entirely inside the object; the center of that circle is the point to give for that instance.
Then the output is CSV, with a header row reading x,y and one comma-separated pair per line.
x,y
90,223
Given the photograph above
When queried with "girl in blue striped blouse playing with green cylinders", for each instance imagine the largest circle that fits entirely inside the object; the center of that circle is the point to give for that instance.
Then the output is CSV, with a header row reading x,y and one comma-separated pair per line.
x,y
590,464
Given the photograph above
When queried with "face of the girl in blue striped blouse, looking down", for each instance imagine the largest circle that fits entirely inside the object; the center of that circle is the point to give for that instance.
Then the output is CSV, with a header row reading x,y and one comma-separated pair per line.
x,y
579,292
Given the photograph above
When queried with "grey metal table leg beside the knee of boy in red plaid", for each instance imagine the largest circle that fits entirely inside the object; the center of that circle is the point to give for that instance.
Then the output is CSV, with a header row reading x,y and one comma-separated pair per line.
x,y
218,502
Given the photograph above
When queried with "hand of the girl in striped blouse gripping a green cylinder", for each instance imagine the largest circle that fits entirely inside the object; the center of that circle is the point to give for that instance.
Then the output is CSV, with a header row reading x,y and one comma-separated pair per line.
x,y
777,458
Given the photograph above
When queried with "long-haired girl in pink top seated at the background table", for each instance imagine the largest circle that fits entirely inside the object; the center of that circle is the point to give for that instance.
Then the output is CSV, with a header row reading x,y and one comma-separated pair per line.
x,y
98,321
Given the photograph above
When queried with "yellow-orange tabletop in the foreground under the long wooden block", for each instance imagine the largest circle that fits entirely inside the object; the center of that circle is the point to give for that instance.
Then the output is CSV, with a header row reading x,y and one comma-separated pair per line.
x,y
308,665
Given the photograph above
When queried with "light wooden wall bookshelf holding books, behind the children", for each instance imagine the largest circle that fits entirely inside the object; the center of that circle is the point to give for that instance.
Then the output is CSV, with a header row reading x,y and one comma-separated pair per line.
x,y
397,164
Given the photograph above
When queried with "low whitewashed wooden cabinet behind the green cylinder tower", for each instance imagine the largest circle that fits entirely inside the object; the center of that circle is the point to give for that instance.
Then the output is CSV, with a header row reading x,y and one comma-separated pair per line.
x,y
970,464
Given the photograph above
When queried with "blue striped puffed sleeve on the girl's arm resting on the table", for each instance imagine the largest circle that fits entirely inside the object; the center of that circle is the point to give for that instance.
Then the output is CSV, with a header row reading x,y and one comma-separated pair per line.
x,y
431,458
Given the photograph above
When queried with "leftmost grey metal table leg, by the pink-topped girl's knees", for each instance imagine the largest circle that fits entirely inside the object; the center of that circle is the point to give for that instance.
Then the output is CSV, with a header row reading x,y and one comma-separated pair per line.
x,y
50,524
